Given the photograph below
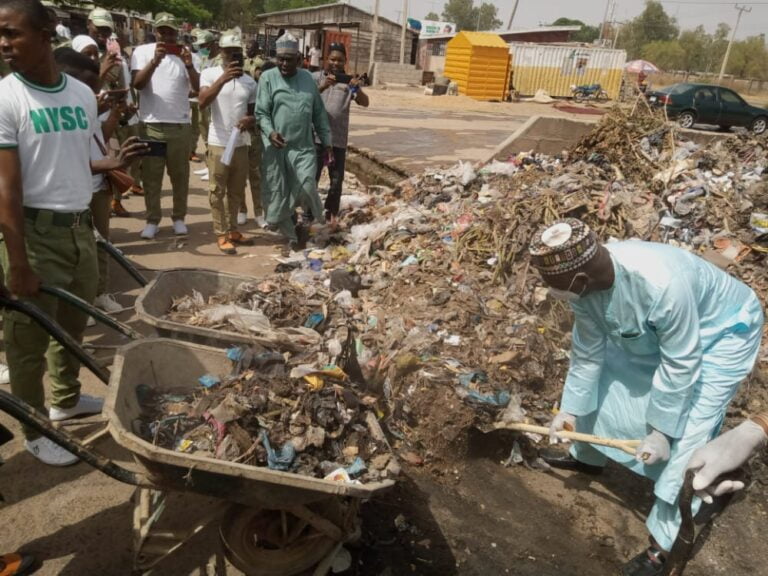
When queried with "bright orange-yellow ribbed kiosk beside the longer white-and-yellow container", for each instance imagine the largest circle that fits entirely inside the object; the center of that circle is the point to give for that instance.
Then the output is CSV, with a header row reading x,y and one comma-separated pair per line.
x,y
479,63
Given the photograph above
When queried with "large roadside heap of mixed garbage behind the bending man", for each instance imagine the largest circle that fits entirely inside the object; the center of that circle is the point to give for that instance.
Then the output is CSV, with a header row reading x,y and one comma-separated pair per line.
x,y
431,281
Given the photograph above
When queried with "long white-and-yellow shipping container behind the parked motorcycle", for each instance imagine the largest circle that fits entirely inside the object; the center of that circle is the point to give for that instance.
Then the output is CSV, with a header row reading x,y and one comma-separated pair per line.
x,y
556,68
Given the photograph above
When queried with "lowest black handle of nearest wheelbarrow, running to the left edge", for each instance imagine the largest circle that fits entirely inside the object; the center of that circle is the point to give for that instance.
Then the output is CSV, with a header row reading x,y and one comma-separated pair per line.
x,y
24,413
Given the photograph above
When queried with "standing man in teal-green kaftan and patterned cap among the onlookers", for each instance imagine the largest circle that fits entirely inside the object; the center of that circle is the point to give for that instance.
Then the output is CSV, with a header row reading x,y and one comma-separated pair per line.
x,y
288,108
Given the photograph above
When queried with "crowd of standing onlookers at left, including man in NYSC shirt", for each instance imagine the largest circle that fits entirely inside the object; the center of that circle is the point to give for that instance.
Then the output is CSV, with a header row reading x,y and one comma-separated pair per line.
x,y
267,122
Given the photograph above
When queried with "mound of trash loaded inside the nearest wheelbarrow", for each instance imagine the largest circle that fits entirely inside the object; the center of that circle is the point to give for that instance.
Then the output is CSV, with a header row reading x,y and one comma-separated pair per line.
x,y
265,413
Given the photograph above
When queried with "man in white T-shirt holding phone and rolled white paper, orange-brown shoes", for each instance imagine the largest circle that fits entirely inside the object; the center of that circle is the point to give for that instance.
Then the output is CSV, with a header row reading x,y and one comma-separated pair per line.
x,y
231,96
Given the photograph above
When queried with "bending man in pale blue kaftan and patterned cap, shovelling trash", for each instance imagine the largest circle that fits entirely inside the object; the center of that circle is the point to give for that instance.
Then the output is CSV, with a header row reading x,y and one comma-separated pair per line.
x,y
661,341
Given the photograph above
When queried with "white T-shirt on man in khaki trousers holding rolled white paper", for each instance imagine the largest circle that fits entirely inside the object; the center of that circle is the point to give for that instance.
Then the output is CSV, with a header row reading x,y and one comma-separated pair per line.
x,y
230,106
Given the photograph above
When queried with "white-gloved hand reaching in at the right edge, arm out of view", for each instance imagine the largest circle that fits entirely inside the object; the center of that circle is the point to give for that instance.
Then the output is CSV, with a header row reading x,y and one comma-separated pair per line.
x,y
725,453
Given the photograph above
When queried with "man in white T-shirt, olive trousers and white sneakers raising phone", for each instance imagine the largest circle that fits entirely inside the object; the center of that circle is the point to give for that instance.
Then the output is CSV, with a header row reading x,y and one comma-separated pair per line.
x,y
164,75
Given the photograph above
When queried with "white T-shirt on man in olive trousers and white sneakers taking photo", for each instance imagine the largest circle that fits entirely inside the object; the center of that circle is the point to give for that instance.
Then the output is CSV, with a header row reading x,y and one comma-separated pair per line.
x,y
165,99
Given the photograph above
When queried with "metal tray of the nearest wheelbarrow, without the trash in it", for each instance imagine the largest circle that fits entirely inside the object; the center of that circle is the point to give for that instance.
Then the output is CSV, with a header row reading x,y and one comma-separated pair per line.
x,y
165,364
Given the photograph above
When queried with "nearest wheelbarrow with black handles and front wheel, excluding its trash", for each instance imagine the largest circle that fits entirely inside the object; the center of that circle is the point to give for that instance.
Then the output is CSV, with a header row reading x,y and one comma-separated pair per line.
x,y
271,523
